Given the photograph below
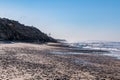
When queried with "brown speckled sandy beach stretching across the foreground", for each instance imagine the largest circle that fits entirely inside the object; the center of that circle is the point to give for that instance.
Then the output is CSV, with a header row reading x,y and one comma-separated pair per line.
x,y
24,61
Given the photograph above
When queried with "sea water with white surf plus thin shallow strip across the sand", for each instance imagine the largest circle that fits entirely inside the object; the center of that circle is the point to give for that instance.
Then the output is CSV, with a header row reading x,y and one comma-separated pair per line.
x,y
112,47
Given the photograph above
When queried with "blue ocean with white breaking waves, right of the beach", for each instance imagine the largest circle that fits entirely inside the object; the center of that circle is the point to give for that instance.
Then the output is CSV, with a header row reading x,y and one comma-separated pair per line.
x,y
112,47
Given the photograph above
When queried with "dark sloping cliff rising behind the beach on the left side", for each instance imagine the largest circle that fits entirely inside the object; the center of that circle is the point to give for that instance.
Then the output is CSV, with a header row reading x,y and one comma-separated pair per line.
x,y
14,31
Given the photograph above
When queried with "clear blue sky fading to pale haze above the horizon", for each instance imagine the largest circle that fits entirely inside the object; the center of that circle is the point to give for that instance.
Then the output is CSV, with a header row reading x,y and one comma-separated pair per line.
x,y
73,20
